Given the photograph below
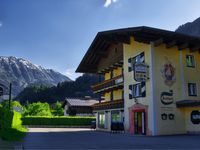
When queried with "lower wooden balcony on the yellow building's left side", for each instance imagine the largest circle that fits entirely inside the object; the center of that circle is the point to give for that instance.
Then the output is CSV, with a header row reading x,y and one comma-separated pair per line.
x,y
109,105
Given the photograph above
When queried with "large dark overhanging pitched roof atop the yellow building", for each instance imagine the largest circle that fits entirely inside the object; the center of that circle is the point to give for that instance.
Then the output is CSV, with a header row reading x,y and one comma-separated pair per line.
x,y
143,34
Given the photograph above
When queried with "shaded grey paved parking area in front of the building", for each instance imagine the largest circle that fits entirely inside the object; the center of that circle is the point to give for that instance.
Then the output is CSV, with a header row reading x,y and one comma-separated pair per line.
x,y
76,138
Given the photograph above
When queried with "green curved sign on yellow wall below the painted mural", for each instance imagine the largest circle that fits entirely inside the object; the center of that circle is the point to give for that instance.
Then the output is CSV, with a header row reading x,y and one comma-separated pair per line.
x,y
167,97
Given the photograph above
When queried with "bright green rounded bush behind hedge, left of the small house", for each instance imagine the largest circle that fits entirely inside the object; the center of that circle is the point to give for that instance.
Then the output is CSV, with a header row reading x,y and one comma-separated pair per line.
x,y
38,109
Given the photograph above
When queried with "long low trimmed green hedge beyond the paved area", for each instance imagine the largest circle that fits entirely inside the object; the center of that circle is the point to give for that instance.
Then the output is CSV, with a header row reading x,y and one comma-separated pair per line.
x,y
70,121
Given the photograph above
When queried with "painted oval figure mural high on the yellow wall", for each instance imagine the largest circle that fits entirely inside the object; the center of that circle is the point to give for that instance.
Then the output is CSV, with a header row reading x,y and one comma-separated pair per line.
x,y
168,73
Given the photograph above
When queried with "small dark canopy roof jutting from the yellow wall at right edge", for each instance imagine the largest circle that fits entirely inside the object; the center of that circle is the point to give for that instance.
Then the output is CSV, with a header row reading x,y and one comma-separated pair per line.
x,y
188,103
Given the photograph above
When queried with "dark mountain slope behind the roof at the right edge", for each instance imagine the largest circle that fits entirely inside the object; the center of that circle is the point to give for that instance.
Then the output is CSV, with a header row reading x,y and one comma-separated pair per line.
x,y
191,28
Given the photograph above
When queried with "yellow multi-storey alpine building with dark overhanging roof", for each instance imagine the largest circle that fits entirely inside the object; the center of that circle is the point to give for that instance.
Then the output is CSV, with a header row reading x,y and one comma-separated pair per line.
x,y
152,81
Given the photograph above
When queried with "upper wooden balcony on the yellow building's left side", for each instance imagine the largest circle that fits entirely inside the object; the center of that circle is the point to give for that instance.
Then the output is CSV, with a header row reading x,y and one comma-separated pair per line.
x,y
107,85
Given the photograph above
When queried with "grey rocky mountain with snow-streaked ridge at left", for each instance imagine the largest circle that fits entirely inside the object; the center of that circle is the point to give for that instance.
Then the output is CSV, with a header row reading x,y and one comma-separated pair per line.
x,y
22,73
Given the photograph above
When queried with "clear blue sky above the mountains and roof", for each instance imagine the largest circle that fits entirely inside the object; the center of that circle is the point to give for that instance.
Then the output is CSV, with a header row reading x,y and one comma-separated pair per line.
x,y
56,33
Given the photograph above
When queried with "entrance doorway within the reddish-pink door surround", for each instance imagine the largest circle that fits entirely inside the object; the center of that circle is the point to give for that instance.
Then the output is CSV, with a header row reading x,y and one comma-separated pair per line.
x,y
139,122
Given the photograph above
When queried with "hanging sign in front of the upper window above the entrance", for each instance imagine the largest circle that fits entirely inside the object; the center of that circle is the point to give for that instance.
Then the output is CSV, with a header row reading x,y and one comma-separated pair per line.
x,y
141,72
